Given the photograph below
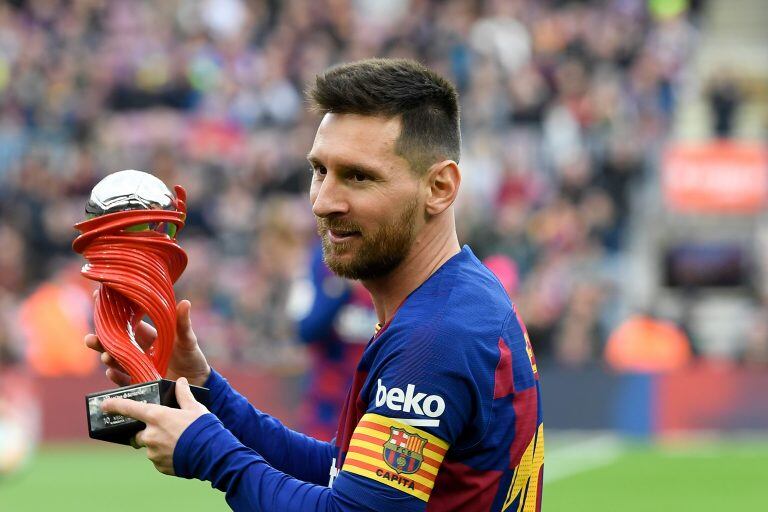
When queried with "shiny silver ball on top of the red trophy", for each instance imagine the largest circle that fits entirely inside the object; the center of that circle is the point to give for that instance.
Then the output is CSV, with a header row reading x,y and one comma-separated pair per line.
x,y
128,190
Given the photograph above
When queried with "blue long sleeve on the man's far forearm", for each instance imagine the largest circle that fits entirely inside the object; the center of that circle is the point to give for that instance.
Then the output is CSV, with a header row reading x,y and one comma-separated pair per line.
x,y
288,451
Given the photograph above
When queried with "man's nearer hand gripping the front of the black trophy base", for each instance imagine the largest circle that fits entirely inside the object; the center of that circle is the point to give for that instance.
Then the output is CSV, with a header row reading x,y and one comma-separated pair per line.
x,y
164,424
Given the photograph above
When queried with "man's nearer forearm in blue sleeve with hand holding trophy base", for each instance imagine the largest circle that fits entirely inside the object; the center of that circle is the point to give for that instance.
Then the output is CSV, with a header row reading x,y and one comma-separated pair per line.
x,y
190,442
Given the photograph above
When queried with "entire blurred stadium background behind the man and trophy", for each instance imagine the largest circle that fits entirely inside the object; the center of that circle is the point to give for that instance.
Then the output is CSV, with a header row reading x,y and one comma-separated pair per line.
x,y
614,151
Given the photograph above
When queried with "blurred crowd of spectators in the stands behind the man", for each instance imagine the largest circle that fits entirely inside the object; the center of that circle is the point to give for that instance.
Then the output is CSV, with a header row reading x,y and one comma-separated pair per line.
x,y
564,106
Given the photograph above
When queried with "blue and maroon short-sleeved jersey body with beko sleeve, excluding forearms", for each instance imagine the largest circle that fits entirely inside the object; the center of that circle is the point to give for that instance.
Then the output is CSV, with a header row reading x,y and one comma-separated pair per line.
x,y
445,405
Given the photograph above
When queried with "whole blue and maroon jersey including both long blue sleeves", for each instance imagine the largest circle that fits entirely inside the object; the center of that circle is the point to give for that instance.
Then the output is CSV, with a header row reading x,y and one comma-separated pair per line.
x,y
444,413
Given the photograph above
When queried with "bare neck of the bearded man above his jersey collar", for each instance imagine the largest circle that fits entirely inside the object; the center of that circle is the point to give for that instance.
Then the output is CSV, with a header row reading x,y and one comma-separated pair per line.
x,y
428,253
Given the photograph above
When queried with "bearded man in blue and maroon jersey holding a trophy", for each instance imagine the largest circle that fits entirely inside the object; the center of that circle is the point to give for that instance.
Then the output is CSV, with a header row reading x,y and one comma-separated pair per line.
x,y
444,410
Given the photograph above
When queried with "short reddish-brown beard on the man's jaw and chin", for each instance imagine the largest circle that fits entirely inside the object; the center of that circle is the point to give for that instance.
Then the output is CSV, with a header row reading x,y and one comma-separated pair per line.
x,y
379,253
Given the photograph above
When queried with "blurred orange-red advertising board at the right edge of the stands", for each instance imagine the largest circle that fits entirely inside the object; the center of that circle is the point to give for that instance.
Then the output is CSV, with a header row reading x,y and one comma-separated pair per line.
x,y
716,177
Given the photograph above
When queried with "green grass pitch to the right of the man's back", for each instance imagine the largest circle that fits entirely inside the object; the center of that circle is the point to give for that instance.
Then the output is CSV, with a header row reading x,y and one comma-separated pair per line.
x,y
699,475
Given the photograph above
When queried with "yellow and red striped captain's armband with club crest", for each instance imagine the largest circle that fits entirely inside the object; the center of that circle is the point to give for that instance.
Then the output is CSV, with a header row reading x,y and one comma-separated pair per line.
x,y
393,453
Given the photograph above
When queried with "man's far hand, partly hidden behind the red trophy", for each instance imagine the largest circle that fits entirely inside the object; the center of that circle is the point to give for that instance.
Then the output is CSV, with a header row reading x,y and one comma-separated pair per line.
x,y
187,360
